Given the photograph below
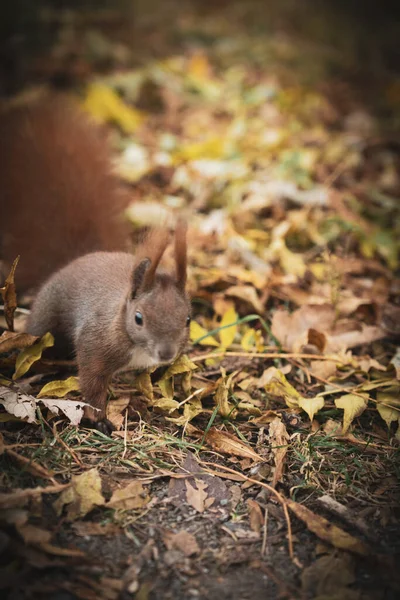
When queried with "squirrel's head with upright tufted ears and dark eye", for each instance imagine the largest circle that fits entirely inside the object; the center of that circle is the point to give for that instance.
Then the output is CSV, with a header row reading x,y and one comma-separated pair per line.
x,y
158,310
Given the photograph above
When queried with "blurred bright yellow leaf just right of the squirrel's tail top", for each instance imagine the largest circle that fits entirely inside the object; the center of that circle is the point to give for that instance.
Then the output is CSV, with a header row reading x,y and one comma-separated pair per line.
x,y
105,105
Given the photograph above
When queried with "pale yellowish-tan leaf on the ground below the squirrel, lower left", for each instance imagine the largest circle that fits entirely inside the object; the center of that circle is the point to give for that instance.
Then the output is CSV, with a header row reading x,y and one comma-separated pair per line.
x,y
82,496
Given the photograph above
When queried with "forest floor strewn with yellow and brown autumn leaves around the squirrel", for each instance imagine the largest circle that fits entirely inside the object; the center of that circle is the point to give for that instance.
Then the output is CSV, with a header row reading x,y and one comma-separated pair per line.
x,y
265,462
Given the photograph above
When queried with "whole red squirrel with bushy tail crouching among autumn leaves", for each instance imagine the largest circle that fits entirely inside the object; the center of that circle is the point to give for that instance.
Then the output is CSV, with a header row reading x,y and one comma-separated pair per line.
x,y
113,309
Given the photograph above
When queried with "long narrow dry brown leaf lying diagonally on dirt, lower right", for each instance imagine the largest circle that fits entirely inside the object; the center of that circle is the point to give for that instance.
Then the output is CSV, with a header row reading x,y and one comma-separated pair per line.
x,y
327,531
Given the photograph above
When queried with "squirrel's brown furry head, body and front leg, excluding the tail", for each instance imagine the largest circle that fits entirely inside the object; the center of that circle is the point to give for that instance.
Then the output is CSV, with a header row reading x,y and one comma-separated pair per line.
x,y
92,303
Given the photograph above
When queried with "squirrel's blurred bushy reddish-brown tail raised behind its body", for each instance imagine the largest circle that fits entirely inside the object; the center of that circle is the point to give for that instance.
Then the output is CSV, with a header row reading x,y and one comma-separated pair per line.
x,y
58,196
